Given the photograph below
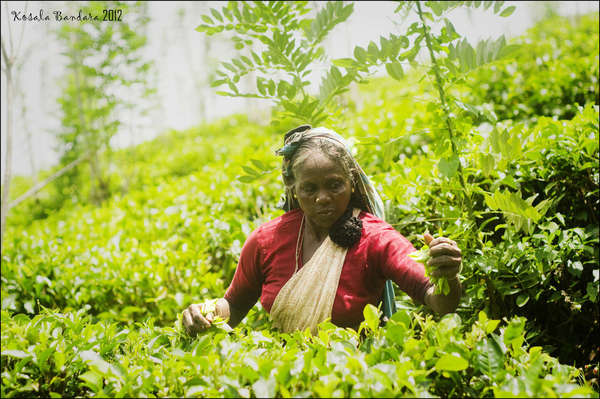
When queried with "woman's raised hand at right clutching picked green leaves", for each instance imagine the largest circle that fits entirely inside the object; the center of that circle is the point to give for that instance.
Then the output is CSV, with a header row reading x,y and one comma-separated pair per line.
x,y
445,256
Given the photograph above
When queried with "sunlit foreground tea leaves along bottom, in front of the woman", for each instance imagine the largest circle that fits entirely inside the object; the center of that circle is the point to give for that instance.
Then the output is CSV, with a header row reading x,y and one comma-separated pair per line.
x,y
68,354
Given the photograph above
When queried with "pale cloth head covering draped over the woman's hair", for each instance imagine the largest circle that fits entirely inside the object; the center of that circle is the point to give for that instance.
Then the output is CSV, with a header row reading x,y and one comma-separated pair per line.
x,y
295,137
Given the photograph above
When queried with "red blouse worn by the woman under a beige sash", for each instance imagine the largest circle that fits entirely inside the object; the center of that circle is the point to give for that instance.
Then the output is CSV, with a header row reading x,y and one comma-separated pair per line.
x,y
267,263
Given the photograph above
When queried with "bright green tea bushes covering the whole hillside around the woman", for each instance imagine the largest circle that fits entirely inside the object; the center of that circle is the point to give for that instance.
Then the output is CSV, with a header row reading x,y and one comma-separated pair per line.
x,y
91,294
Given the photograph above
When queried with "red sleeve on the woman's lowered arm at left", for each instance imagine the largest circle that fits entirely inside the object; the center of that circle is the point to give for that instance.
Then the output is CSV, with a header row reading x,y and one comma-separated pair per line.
x,y
246,286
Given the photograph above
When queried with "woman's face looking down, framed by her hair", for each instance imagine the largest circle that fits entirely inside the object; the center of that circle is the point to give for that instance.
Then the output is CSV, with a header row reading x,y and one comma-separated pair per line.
x,y
322,189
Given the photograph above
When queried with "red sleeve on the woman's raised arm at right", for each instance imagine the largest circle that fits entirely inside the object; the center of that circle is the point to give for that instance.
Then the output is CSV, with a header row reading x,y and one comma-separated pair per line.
x,y
390,250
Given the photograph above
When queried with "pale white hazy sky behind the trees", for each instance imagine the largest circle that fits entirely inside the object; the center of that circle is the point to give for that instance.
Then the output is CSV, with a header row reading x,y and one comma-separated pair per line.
x,y
180,66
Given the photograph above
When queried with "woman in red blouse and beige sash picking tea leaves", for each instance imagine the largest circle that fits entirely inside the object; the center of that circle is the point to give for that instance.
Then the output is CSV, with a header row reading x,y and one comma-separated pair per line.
x,y
330,254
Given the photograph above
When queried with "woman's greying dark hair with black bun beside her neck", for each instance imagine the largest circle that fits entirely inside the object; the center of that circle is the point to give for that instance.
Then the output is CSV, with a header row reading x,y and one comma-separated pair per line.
x,y
347,230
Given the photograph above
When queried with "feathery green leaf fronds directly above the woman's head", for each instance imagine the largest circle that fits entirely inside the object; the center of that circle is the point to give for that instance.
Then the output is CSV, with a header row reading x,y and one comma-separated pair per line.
x,y
290,42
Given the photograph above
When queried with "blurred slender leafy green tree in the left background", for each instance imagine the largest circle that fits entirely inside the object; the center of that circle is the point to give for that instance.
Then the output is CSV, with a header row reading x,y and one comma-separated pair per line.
x,y
103,57
